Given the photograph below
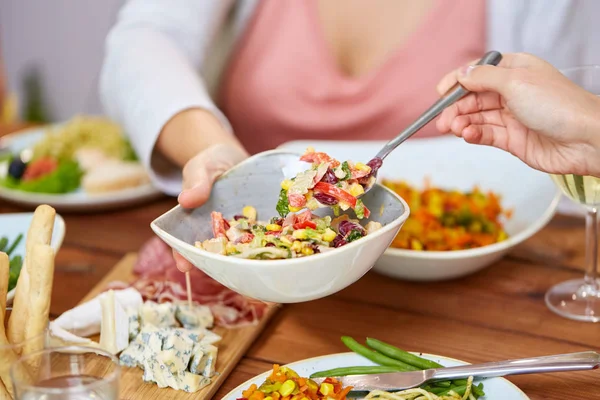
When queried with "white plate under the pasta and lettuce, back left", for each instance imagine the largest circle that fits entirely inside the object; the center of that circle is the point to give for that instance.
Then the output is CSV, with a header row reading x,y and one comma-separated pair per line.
x,y
76,201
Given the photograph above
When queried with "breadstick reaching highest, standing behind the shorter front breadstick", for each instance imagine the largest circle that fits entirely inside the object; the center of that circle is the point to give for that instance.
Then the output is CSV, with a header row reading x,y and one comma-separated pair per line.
x,y
40,232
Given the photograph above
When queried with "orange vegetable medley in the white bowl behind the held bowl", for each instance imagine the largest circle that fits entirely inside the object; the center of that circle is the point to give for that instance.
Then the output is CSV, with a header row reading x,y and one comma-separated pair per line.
x,y
443,220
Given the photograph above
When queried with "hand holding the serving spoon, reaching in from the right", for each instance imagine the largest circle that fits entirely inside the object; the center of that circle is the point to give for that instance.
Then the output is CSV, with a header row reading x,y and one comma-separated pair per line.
x,y
527,107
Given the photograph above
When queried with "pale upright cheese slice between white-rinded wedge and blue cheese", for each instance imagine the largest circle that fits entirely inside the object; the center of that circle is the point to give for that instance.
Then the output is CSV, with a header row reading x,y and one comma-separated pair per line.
x,y
114,333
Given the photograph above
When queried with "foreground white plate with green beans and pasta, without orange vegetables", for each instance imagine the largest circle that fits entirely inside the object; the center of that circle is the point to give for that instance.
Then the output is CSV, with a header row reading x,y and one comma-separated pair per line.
x,y
378,357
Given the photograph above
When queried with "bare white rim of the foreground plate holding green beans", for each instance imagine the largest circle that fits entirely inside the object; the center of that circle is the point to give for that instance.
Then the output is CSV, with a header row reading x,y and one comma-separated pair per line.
x,y
495,389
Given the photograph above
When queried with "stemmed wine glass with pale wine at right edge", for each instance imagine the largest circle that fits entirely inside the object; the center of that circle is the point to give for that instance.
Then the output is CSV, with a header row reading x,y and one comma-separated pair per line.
x,y
579,299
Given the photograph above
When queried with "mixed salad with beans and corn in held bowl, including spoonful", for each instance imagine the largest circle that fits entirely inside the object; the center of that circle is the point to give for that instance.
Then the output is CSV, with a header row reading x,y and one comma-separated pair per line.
x,y
297,232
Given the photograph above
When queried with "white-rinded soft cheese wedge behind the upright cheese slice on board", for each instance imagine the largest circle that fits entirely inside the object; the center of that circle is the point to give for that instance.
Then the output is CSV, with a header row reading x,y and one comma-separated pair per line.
x,y
86,318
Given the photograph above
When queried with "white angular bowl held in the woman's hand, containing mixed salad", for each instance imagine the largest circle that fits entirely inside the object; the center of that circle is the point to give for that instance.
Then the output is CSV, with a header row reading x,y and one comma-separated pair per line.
x,y
280,281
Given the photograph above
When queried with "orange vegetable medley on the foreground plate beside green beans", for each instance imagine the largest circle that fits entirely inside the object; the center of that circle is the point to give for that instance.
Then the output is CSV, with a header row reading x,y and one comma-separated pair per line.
x,y
286,384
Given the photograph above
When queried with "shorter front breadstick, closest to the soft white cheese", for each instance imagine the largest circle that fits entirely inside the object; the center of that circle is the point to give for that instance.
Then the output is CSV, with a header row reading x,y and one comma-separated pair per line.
x,y
41,270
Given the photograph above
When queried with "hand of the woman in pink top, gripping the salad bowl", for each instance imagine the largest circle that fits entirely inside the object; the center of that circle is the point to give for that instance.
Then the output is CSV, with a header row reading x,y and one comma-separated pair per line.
x,y
196,140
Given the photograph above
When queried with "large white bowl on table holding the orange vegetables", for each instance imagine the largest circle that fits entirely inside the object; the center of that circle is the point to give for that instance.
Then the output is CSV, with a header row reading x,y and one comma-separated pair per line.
x,y
449,162
